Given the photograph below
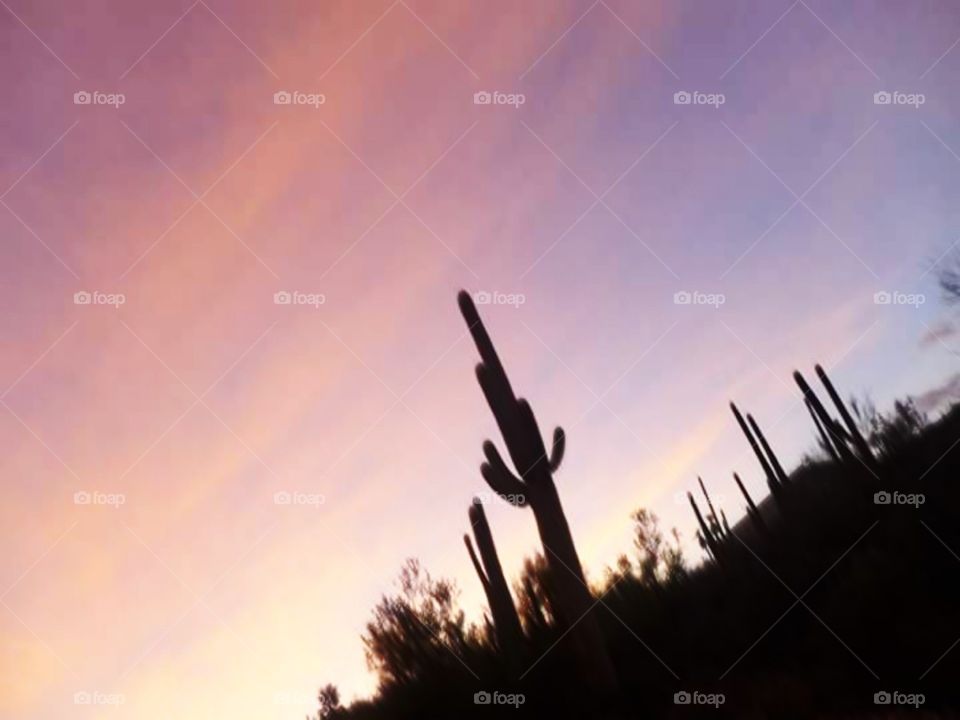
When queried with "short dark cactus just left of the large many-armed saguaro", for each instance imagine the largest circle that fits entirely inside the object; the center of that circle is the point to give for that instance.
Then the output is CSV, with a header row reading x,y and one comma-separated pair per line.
x,y
506,622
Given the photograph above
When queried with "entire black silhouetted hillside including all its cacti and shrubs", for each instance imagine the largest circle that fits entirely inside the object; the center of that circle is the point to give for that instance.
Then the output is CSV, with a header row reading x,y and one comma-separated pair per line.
x,y
842,583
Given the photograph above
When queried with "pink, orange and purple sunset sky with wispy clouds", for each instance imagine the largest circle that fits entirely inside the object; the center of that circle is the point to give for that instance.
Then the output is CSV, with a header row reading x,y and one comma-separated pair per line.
x,y
207,488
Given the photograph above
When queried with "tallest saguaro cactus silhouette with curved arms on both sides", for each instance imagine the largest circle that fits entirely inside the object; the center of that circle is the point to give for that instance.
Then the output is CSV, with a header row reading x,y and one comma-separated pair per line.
x,y
535,487
